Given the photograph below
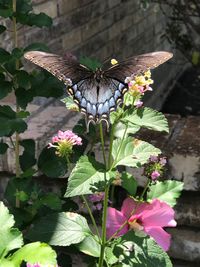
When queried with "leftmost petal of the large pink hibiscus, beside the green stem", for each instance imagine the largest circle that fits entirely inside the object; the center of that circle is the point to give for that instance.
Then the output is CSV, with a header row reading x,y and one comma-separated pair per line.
x,y
115,219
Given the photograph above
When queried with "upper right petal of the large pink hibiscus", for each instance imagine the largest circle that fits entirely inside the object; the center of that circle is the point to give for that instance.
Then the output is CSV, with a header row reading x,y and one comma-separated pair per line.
x,y
159,214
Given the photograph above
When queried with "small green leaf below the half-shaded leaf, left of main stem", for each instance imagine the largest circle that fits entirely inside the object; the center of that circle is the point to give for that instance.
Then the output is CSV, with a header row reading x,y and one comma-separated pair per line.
x,y
90,246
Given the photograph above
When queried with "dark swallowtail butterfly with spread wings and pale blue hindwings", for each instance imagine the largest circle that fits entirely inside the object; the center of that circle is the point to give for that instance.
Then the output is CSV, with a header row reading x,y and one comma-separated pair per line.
x,y
98,92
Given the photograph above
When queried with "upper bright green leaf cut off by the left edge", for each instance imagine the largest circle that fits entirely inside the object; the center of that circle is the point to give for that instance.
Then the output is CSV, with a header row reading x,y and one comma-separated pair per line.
x,y
11,238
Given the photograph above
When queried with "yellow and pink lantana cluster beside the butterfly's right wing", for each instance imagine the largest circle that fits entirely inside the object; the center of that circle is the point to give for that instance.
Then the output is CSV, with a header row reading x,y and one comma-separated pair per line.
x,y
138,85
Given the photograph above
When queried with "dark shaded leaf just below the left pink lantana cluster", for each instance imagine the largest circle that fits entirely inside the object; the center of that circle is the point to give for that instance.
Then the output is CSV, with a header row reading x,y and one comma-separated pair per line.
x,y
50,164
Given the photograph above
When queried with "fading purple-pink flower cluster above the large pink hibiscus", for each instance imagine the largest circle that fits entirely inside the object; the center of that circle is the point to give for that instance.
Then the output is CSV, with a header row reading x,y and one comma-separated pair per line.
x,y
155,167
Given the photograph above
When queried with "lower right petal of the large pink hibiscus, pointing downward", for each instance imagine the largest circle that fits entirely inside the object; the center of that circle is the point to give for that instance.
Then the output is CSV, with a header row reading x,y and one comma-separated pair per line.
x,y
161,237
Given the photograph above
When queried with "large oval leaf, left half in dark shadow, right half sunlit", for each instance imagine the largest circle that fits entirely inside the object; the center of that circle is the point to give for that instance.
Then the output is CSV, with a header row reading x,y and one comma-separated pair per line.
x,y
60,229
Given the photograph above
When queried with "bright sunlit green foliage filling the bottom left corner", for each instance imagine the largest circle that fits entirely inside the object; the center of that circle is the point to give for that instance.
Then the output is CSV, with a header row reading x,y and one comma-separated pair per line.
x,y
11,239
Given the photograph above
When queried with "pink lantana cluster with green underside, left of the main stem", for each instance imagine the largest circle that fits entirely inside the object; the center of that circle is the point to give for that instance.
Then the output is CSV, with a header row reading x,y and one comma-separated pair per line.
x,y
64,142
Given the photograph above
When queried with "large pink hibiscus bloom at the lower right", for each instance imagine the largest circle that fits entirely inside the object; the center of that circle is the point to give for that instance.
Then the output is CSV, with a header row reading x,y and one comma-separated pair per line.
x,y
148,217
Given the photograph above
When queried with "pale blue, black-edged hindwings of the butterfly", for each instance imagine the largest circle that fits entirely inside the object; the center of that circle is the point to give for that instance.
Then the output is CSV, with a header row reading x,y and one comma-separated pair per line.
x,y
97,99
